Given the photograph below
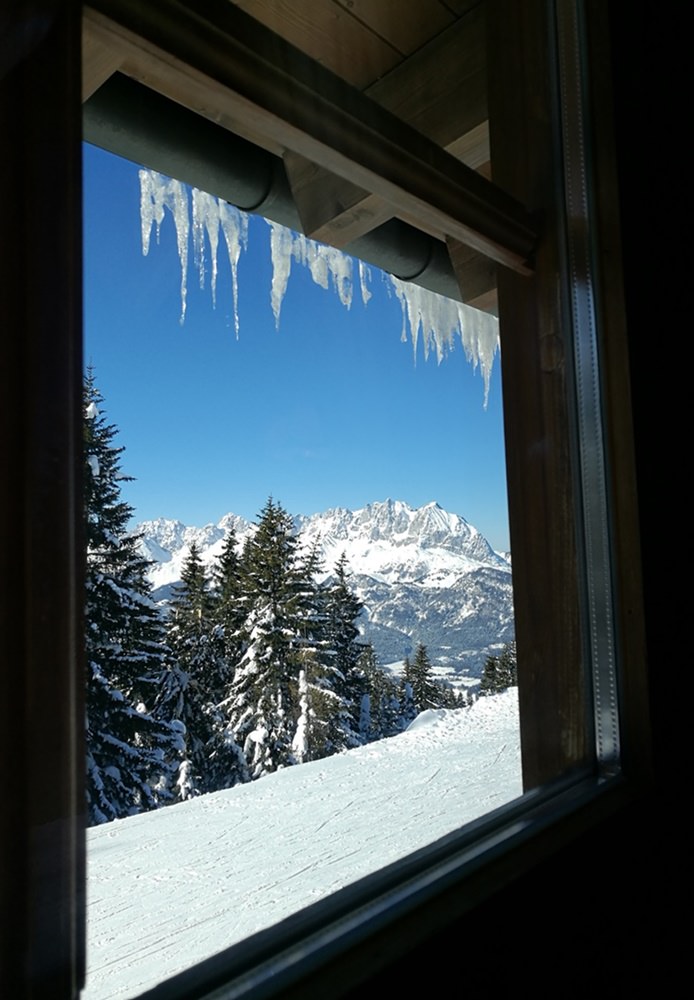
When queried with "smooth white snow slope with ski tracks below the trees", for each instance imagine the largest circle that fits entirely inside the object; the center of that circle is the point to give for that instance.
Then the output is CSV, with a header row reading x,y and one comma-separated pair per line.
x,y
169,888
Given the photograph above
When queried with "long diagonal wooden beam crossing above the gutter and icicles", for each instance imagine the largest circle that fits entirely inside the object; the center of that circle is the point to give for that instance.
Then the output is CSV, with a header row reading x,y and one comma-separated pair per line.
x,y
215,57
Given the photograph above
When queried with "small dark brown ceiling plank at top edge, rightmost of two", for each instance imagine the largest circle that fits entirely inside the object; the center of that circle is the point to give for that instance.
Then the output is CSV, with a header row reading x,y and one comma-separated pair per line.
x,y
406,26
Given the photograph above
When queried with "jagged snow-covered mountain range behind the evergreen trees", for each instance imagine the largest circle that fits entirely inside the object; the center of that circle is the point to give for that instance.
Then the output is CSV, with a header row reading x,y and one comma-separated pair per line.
x,y
424,575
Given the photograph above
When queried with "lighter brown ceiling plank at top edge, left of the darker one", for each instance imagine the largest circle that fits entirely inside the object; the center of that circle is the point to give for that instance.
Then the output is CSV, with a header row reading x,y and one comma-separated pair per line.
x,y
329,34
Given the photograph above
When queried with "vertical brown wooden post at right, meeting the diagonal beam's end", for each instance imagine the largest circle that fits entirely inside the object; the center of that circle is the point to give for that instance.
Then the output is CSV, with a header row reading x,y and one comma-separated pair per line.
x,y
537,353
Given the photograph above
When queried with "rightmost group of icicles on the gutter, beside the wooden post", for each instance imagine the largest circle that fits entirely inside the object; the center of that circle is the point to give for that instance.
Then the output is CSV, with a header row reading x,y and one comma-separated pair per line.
x,y
440,319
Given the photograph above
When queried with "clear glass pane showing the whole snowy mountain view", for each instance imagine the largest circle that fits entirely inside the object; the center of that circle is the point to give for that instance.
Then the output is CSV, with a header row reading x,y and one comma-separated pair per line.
x,y
320,404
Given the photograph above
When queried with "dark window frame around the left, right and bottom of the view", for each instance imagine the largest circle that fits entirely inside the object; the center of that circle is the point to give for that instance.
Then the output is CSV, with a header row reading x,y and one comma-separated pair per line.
x,y
380,918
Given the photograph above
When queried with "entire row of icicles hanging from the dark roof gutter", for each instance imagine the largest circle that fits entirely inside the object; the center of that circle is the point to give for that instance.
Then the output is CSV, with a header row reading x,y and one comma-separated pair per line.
x,y
437,319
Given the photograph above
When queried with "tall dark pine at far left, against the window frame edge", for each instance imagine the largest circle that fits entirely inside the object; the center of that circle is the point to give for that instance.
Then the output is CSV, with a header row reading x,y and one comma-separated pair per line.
x,y
131,754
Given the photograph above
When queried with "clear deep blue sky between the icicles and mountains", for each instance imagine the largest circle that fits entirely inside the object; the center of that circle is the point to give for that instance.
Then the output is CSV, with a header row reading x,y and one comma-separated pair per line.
x,y
330,410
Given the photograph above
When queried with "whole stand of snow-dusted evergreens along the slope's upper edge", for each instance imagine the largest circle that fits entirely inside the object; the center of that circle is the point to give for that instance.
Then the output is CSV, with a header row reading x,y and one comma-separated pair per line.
x,y
252,667
